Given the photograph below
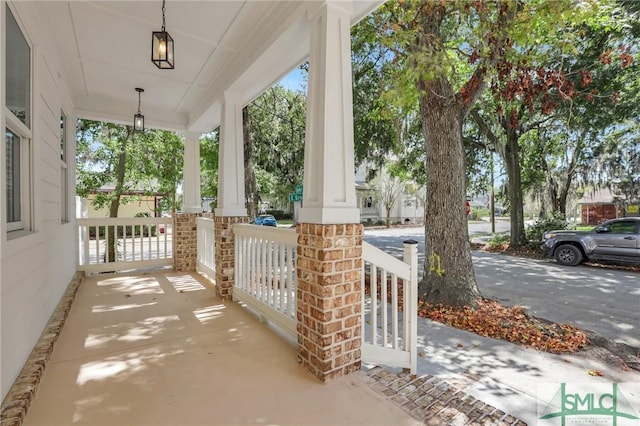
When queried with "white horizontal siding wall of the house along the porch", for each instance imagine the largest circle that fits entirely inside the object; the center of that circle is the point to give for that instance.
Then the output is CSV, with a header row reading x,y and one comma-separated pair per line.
x,y
35,269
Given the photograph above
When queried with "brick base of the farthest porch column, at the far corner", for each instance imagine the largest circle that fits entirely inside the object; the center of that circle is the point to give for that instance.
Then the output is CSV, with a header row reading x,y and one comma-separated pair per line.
x,y
185,242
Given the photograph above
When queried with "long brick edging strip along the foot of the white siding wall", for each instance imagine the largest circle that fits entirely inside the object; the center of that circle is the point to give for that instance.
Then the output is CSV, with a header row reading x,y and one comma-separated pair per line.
x,y
17,402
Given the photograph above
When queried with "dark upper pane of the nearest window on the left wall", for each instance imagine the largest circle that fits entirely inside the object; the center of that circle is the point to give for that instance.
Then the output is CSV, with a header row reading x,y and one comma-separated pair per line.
x,y
18,71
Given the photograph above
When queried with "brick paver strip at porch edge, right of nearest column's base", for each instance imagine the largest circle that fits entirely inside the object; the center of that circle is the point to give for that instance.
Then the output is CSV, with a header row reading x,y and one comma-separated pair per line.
x,y
434,401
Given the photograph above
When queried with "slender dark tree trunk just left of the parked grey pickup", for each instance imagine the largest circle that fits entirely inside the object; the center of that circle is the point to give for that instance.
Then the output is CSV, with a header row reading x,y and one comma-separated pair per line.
x,y
514,190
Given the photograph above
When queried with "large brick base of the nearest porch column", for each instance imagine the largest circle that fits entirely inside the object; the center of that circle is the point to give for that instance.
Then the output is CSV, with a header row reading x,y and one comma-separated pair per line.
x,y
329,267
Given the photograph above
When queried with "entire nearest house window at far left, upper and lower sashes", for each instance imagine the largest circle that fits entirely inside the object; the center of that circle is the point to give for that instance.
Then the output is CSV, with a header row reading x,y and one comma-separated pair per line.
x,y
17,130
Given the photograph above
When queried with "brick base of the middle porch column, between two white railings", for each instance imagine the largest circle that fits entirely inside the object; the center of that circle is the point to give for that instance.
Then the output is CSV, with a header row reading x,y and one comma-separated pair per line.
x,y
225,253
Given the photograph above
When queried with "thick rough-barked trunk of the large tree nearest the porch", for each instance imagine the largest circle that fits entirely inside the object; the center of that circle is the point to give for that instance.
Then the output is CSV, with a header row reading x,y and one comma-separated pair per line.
x,y
448,274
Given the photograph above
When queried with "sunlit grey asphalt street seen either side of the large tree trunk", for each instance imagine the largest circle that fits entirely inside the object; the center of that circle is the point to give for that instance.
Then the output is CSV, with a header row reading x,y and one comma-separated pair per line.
x,y
606,301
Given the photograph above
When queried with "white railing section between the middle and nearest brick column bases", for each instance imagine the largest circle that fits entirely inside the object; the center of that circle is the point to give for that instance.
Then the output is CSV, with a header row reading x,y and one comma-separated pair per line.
x,y
265,273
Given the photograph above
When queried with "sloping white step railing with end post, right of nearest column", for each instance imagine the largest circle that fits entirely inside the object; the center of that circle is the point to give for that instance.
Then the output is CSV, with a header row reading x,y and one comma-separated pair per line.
x,y
390,334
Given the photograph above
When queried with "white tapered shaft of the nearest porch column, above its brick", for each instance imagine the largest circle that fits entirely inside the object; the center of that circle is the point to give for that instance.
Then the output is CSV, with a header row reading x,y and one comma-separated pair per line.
x,y
329,195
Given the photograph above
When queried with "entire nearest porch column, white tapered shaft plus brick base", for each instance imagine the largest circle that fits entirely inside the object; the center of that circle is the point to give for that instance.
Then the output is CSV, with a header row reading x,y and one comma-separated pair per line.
x,y
329,261
